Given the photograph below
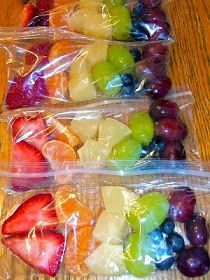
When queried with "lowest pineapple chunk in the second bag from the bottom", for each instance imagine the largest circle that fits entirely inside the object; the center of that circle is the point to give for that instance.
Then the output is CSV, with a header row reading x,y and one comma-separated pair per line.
x,y
93,150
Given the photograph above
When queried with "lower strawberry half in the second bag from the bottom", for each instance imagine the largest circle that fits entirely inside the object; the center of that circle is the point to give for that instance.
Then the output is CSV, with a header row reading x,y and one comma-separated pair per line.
x,y
27,159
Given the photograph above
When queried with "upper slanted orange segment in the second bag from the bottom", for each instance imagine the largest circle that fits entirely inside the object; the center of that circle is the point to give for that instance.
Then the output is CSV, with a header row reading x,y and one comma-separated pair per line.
x,y
60,132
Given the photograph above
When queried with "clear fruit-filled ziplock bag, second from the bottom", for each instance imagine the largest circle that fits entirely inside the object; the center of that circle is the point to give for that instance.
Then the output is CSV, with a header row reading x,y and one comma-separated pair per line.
x,y
100,134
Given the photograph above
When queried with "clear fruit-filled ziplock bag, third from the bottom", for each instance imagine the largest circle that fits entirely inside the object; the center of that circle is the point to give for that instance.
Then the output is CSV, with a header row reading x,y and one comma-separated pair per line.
x,y
49,71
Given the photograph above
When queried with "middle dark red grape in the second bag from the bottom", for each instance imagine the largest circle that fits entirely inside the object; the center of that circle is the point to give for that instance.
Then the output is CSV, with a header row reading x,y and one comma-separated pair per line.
x,y
170,130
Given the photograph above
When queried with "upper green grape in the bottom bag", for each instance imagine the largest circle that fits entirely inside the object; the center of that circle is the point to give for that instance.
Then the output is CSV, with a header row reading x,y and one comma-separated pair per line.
x,y
148,212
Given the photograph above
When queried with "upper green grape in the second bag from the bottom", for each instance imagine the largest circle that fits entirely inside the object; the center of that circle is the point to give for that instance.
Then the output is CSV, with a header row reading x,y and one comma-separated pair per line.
x,y
142,127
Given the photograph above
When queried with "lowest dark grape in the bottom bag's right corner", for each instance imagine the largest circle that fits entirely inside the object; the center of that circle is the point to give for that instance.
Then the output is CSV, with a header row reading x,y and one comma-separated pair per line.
x,y
193,262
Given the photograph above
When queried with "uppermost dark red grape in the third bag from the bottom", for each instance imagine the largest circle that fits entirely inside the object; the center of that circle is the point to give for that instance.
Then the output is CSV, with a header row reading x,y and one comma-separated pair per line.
x,y
156,49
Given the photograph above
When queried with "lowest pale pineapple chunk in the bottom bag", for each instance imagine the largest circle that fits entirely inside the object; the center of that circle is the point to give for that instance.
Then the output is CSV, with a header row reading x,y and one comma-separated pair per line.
x,y
107,260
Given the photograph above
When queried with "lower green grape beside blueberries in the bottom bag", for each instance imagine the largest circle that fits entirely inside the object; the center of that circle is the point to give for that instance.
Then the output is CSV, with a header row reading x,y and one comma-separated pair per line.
x,y
139,255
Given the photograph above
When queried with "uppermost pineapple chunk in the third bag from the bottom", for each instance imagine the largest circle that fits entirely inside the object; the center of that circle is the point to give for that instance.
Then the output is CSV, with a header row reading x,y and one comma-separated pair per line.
x,y
96,52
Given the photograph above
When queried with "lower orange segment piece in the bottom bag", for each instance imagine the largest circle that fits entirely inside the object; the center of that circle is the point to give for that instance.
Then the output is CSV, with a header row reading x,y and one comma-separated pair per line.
x,y
80,244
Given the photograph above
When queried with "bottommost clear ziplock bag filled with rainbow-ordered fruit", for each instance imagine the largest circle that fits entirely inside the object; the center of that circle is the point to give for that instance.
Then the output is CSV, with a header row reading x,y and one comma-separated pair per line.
x,y
105,225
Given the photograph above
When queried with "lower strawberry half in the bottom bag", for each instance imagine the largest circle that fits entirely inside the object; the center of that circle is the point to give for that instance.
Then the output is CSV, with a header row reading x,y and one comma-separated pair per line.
x,y
42,251
